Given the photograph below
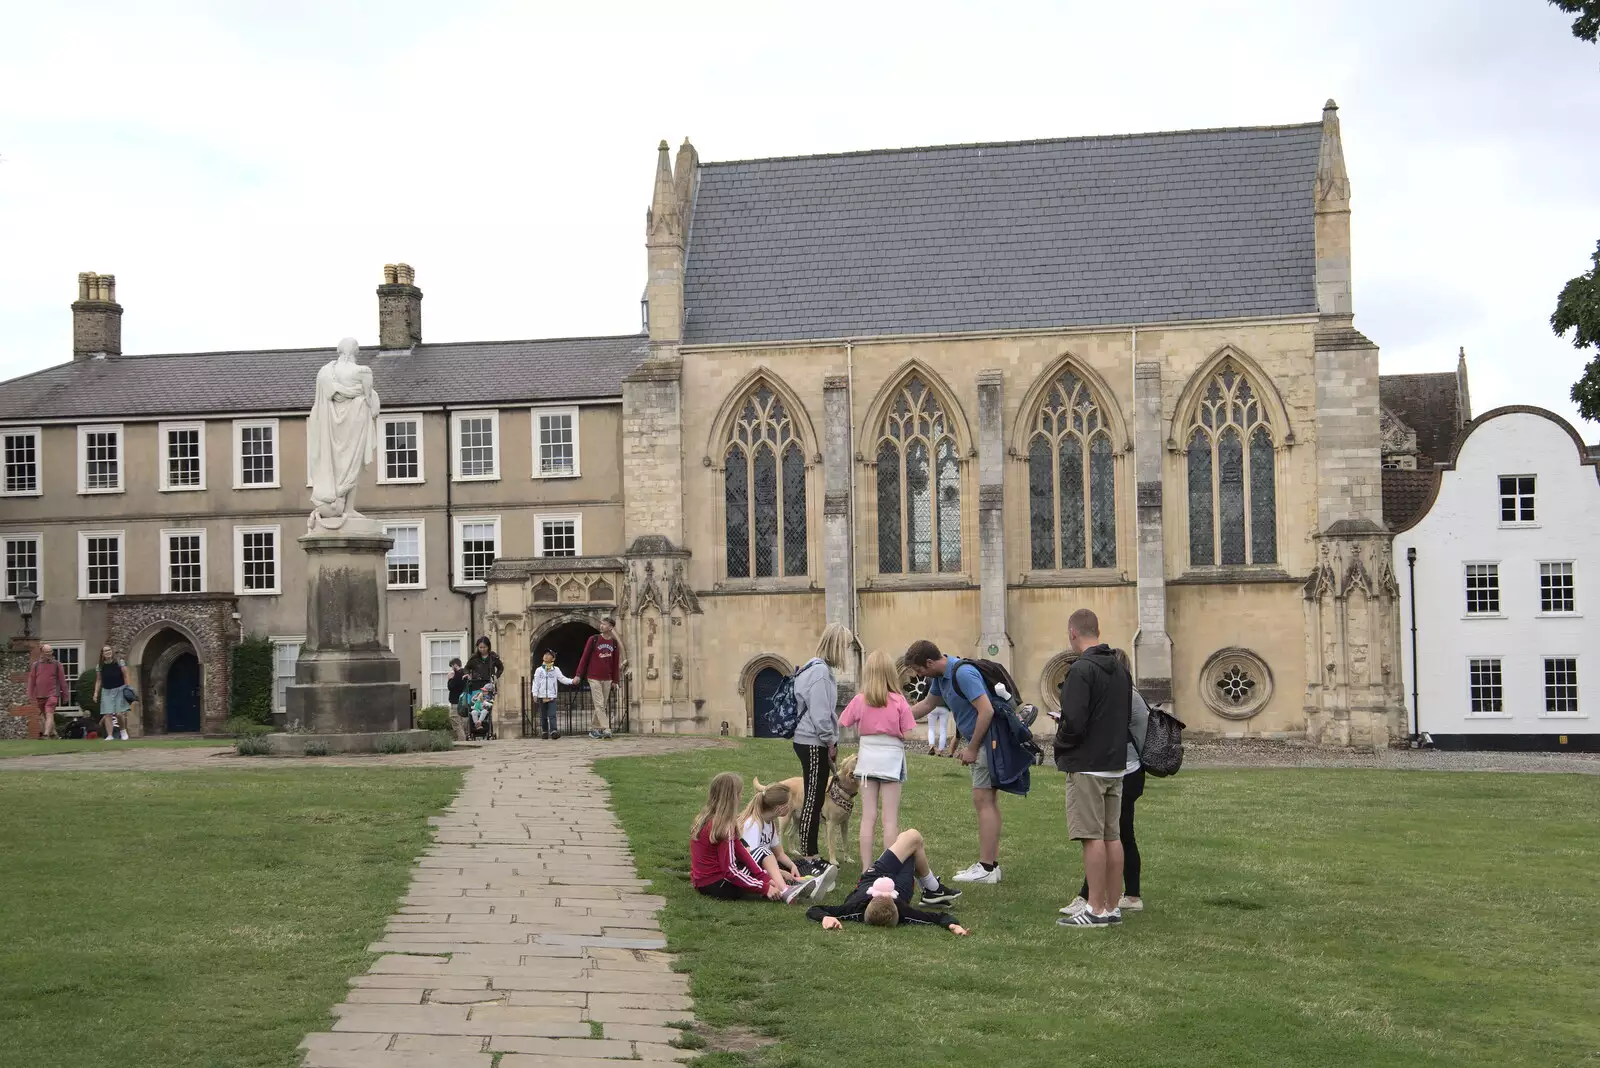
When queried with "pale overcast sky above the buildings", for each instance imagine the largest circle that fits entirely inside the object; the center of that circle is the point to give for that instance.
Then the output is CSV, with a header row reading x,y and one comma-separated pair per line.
x,y
247,169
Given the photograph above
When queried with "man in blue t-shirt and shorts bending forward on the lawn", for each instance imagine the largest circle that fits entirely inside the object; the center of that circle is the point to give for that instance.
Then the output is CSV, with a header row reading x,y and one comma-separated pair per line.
x,y
959,687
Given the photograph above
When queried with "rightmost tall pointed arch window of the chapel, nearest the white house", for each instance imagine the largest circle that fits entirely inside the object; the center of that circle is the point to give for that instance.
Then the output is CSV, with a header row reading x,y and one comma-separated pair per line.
x,y
1233,476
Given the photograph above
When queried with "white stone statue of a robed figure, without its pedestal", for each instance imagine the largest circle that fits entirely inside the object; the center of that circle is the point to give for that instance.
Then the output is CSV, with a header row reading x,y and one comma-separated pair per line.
x,y
342,437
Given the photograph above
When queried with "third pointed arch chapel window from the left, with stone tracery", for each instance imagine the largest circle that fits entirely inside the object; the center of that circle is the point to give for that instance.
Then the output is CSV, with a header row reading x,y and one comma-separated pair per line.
x,y
1071,480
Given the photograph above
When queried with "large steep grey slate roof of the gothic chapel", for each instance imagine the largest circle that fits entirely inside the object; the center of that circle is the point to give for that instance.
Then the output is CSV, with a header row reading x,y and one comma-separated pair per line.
x,y
1121,229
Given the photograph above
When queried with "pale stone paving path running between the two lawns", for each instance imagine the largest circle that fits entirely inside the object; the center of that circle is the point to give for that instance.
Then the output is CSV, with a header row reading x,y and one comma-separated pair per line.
x,y
527,933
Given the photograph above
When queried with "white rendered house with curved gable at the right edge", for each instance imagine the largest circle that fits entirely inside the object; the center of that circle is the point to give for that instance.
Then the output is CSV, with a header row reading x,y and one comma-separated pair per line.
x,y
1502,592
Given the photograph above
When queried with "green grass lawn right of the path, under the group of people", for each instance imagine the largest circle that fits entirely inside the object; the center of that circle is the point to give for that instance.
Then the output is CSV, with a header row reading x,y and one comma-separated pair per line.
x,y
1295,919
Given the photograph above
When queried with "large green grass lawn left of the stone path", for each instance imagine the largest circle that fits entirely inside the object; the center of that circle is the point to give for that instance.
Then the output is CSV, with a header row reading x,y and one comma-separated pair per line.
x,y
196,919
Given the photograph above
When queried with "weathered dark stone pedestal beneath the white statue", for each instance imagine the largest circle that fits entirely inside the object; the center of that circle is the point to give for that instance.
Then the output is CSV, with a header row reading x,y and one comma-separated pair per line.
x,y
348,682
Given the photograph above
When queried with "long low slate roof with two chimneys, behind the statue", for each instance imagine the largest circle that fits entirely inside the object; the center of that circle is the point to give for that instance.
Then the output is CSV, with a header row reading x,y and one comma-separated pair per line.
x,y
207,383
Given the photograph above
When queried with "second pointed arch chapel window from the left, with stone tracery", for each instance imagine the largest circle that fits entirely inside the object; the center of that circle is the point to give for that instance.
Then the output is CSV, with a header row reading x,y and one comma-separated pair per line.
x,y
919,485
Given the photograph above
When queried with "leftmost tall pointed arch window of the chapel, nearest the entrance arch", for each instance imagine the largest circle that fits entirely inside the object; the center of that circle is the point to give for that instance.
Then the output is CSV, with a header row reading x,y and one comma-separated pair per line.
x,y
764,492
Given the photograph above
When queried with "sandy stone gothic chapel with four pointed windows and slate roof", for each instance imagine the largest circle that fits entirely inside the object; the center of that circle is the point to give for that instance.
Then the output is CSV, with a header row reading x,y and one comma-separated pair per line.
x,y
959,393
